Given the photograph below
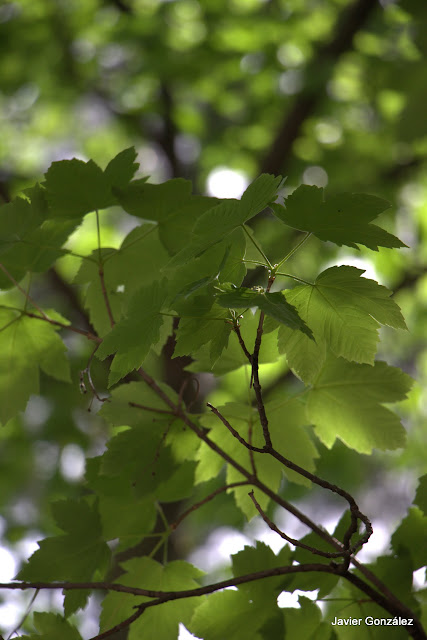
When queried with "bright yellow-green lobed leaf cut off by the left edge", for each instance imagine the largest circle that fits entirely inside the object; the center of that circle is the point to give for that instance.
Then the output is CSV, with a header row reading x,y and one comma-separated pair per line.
x,y
26,346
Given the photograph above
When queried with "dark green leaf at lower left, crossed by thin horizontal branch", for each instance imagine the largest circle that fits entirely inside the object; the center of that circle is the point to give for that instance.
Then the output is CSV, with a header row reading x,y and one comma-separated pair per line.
x,y
74,555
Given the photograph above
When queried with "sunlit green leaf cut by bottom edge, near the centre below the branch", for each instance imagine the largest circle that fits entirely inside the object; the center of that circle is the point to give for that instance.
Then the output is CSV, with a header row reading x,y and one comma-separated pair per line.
x,y
227,614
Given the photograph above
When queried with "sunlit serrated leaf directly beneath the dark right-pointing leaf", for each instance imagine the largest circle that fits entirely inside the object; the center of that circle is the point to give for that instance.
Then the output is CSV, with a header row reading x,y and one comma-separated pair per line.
x,y
344,312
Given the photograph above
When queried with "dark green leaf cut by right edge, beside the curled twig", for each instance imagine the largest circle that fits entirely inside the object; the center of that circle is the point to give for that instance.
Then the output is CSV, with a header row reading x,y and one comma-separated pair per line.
x,y
410,538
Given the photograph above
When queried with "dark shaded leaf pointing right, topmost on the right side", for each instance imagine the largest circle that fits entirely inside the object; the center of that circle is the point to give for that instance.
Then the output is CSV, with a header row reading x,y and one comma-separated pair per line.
x,y
343,219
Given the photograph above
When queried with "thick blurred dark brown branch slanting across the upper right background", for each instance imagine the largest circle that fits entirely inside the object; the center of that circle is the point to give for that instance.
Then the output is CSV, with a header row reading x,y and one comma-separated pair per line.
x,y
324,59
